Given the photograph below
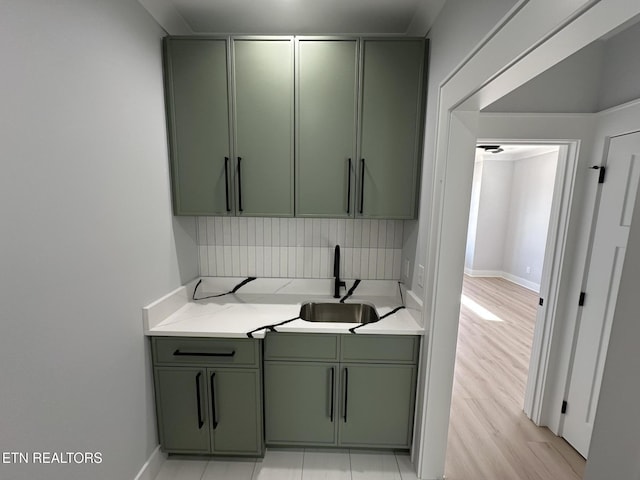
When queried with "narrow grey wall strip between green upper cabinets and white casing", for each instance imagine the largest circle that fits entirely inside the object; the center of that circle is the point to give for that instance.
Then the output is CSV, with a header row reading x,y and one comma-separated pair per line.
x,y
457,30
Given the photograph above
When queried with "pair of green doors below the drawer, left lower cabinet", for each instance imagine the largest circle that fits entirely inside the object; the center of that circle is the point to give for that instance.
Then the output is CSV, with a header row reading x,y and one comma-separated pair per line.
x,y
209,411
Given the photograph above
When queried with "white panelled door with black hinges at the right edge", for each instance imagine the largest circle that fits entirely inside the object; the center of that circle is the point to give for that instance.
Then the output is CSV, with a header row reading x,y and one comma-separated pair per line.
x,y
603,279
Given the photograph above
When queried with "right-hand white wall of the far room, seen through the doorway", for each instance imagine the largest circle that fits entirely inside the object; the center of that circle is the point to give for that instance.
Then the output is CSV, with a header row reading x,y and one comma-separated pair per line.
x,y
528,220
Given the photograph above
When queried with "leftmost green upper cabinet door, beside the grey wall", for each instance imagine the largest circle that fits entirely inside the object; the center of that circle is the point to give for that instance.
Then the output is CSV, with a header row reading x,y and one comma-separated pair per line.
x,y
198,104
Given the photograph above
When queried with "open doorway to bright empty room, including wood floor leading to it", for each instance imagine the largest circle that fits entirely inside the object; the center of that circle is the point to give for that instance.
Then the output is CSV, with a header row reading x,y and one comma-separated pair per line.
x,y
510,214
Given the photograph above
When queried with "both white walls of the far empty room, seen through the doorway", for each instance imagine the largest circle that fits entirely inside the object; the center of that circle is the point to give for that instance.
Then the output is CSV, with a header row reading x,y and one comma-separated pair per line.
x,y
508,226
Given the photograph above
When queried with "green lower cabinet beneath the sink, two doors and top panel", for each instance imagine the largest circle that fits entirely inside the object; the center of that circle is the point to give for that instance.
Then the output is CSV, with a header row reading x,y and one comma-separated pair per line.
x,y
366,401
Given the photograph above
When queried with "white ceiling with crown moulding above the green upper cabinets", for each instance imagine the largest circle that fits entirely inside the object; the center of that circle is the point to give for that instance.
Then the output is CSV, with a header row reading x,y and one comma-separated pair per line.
x,y
304,17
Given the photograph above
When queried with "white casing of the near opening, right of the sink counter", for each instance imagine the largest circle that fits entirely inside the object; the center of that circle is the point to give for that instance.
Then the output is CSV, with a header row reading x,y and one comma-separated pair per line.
x,y
532,37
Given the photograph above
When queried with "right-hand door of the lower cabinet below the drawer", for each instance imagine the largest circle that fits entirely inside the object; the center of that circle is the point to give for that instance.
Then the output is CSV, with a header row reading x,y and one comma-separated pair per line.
x,y
235,411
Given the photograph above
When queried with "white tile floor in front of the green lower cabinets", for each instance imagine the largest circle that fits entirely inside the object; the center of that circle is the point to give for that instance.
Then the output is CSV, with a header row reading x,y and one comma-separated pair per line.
x,y
294,464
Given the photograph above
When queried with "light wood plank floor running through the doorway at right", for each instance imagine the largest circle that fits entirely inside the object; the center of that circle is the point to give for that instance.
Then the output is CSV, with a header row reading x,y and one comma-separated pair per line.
x,y
490,438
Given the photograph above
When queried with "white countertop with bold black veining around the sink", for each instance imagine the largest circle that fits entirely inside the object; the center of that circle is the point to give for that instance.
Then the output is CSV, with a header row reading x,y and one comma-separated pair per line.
x,y
267,301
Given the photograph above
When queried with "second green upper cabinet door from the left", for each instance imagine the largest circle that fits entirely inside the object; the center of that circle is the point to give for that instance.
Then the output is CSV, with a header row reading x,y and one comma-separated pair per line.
x,y
263,99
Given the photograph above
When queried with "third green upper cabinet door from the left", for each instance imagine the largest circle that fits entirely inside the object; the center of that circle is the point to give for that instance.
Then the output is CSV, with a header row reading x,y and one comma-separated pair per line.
x,y
326,120
